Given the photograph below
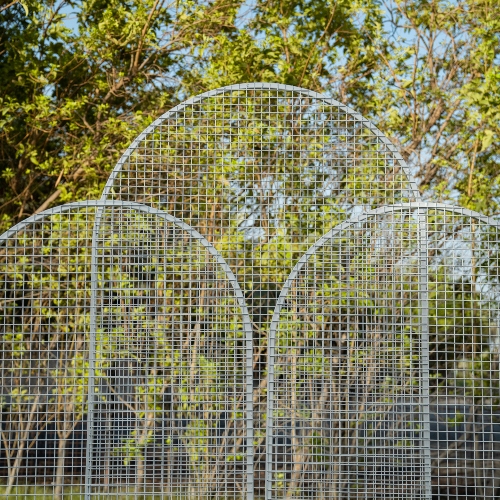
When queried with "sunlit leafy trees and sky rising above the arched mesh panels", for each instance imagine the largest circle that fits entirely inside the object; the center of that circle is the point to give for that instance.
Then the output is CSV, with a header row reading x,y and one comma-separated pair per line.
x,y
81,78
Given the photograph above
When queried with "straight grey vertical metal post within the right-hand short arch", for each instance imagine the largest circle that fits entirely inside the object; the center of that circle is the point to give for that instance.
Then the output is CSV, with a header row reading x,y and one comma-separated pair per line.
x,y
423,296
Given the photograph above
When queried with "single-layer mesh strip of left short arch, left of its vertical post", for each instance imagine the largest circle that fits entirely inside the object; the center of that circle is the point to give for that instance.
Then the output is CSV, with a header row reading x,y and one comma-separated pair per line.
x,y
45,305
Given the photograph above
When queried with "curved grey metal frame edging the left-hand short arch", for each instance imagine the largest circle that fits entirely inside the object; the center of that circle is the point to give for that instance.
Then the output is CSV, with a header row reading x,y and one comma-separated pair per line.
x,y
102,204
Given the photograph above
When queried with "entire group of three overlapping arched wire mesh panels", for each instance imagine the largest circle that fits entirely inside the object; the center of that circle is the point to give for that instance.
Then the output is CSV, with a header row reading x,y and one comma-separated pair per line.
x,y
260,306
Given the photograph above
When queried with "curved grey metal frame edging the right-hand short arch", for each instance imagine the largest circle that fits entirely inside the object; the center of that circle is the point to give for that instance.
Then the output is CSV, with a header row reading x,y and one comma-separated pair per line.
x,y
388,209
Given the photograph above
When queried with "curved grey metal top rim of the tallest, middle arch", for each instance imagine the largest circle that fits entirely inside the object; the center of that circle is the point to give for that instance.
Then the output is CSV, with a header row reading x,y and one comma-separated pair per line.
x,y
260,86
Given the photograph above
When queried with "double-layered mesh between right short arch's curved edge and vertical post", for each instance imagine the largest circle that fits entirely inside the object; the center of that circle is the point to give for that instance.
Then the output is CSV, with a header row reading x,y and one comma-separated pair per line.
x,y
346,408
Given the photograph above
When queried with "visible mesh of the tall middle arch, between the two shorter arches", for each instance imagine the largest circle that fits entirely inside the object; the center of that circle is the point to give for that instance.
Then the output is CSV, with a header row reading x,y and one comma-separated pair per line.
x,y
262,171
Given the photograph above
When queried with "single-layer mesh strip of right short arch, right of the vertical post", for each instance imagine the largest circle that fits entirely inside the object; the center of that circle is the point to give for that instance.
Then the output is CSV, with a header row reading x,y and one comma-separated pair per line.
x,y
464,307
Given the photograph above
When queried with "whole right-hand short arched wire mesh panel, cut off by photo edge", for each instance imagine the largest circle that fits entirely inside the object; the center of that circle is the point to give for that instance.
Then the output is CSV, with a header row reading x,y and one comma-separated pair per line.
x,y
384,376
